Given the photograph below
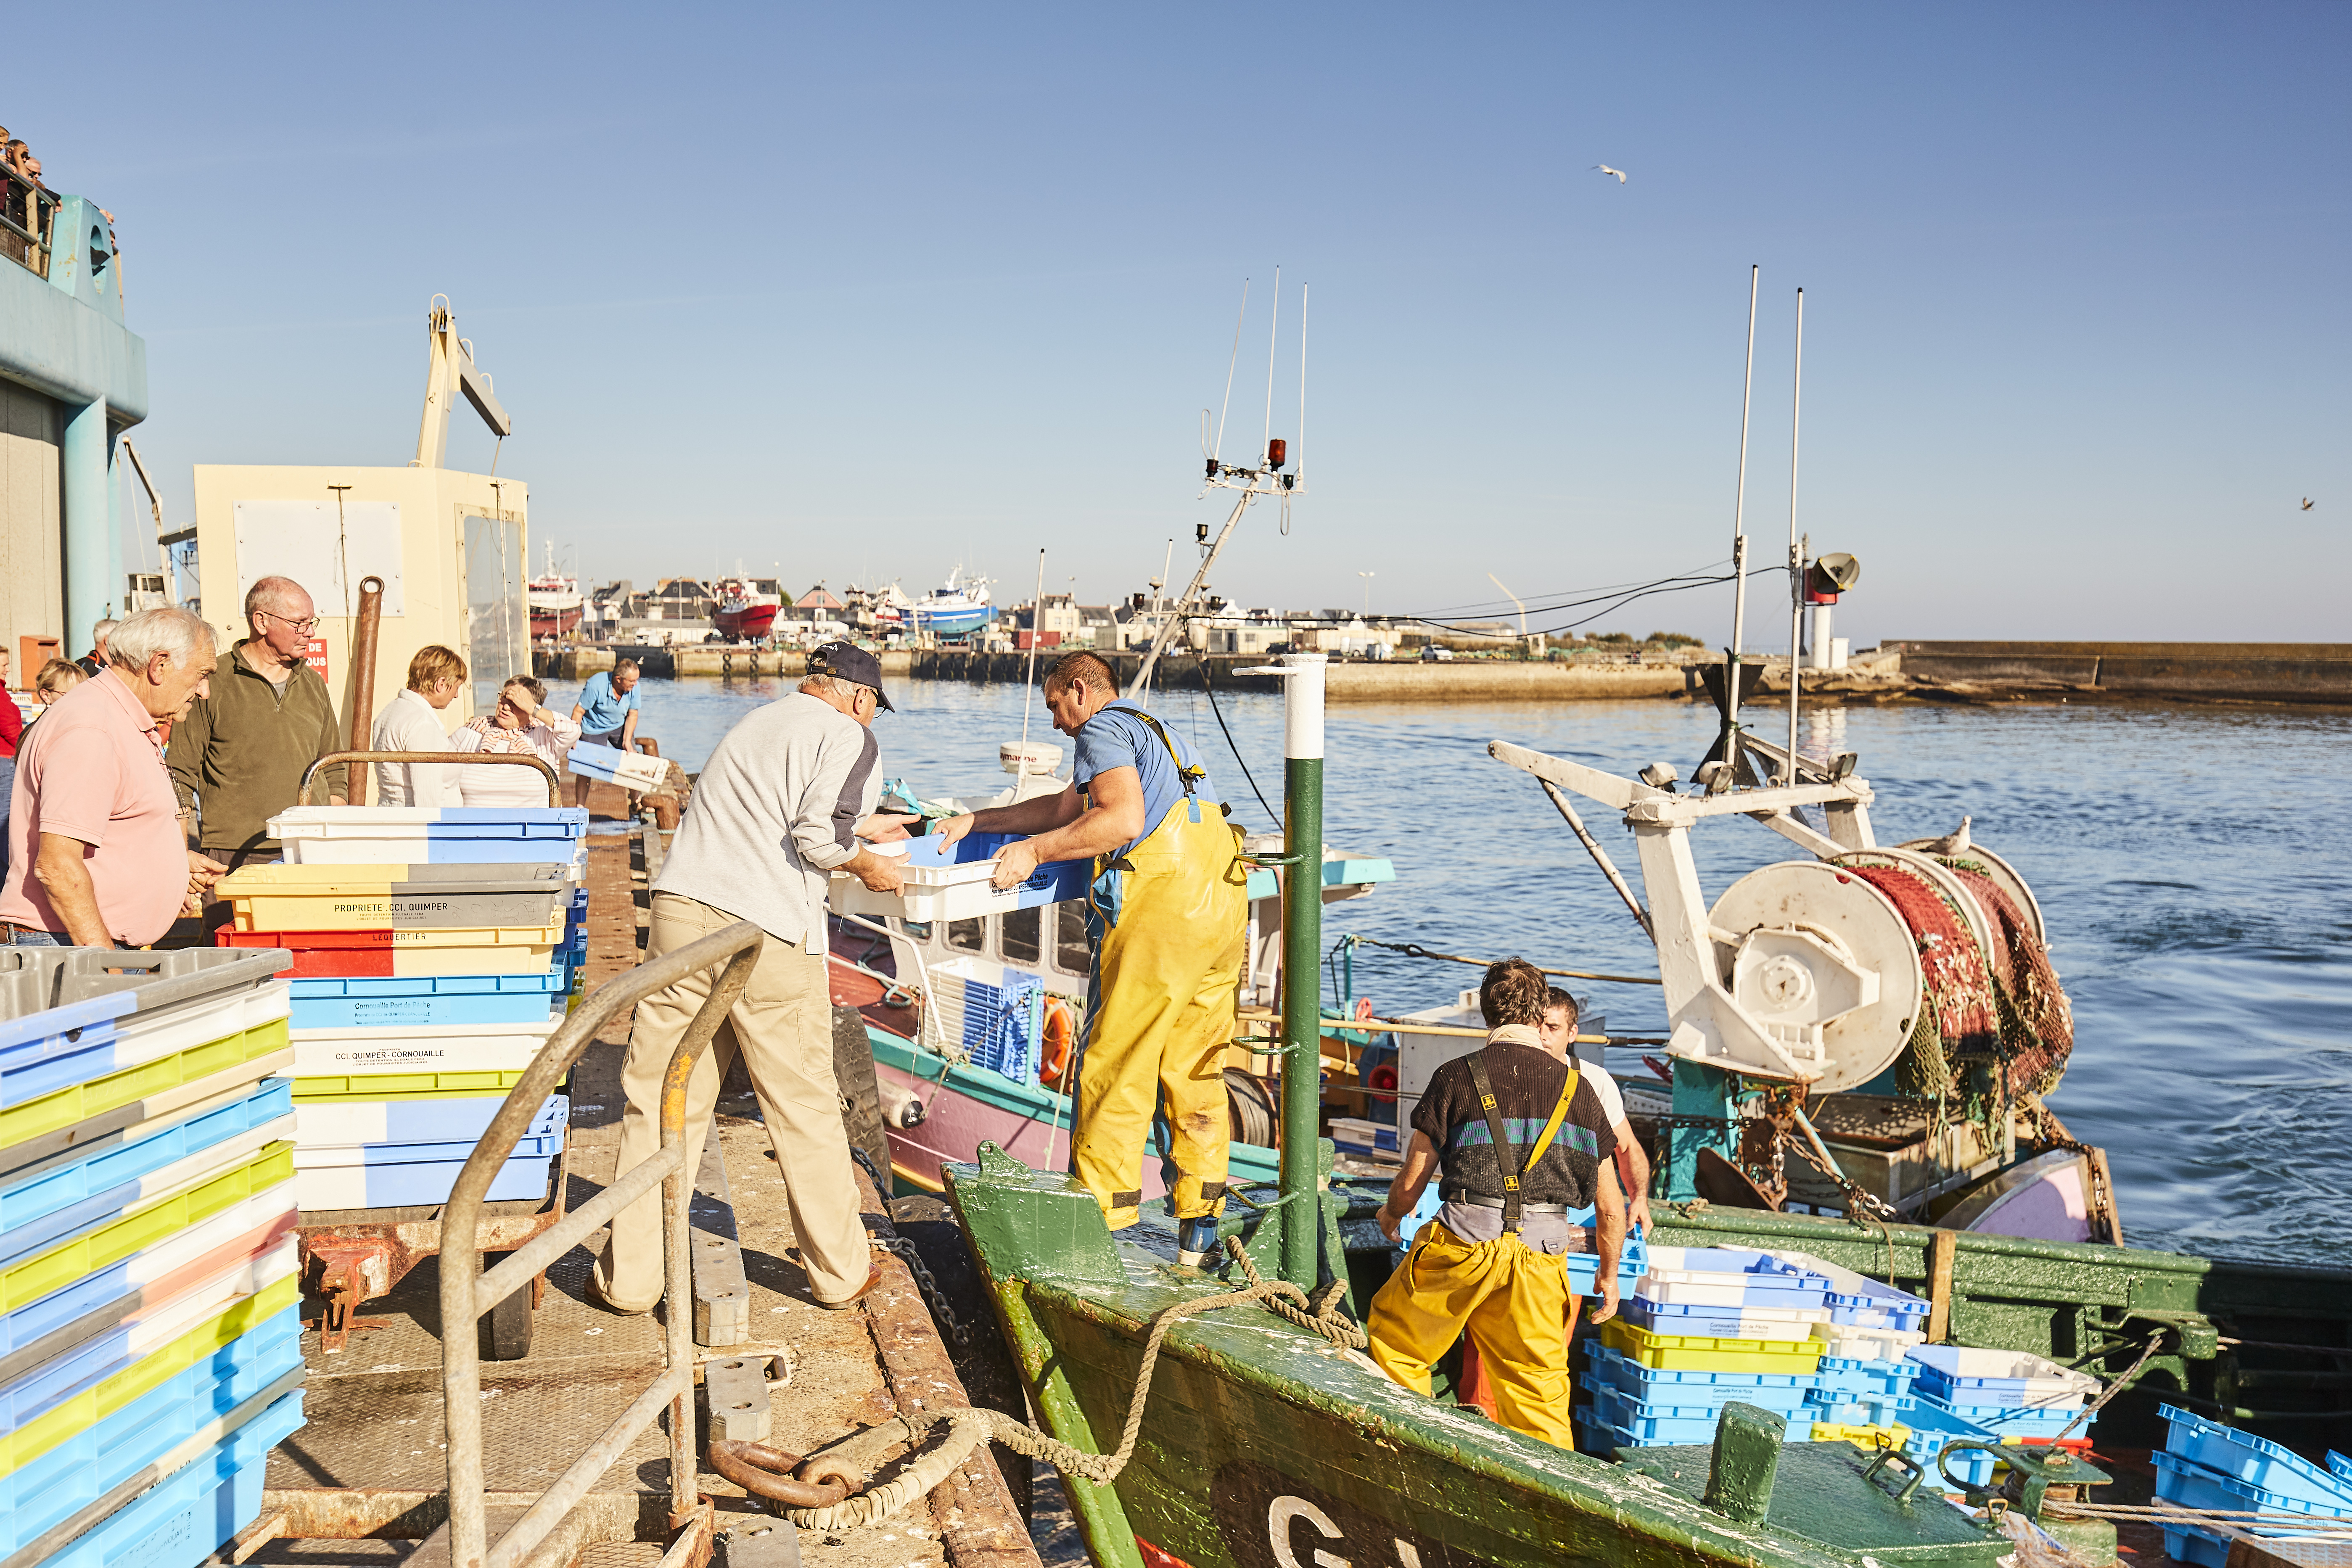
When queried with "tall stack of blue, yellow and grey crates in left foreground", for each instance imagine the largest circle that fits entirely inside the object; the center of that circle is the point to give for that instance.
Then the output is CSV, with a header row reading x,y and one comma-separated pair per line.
x,y
149,1296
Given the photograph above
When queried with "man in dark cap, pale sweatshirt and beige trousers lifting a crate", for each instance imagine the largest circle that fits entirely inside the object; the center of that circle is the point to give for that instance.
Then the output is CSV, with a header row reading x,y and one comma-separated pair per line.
x,y
782,808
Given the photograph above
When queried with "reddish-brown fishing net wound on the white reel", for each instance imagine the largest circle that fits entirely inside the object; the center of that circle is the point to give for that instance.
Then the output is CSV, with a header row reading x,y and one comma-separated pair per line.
x,y
1996,1026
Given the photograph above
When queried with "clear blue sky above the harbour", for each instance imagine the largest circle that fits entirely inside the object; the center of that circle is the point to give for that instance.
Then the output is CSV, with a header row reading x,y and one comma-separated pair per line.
x,y
878,293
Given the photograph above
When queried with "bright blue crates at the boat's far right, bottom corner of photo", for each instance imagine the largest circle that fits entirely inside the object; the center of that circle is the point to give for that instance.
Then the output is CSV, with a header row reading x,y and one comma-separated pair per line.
x,y
2207,1466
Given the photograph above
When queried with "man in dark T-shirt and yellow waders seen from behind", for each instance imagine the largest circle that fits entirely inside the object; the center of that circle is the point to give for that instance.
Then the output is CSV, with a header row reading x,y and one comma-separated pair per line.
x,y
1521,1141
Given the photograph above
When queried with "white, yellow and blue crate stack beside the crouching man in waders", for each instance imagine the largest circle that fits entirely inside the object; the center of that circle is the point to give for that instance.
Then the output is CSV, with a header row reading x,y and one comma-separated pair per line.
x,y
1702,1329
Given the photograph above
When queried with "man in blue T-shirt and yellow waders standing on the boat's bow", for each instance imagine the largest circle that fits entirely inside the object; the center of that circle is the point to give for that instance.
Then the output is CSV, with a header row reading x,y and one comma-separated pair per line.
x,y
1165,920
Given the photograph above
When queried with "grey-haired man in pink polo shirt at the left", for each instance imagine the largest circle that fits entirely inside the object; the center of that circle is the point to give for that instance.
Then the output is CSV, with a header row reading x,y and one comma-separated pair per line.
x,y
98,857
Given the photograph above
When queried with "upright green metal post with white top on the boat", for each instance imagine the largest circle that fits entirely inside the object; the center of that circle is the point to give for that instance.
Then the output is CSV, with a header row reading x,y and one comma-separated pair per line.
x,y
1302,963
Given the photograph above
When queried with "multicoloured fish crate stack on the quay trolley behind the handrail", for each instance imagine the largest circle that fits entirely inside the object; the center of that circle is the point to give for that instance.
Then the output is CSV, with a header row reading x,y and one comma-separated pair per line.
x,y
434,953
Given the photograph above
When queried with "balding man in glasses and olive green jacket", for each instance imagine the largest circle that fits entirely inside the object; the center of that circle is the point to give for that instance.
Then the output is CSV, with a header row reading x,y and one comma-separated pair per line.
x,y
241,753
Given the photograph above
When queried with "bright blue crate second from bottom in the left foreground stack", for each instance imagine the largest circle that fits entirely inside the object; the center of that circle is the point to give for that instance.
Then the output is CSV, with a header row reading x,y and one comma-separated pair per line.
x,y
105,1456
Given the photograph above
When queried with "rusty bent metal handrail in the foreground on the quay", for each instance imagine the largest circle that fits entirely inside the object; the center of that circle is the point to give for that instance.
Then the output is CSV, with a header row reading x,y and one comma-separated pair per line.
x,y
467,1292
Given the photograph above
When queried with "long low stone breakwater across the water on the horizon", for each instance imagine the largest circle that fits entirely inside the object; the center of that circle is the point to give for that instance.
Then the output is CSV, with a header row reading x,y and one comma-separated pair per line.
x,y
1899,671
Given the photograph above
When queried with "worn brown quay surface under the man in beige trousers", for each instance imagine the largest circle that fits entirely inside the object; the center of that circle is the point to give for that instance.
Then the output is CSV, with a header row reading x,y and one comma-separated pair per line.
x,y
370,1456
